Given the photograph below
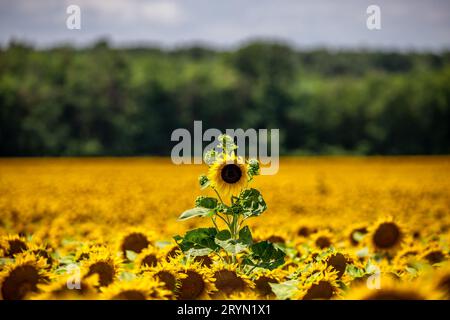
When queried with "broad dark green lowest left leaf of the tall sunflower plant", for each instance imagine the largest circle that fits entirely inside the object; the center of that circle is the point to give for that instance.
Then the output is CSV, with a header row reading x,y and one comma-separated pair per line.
x,y
201,238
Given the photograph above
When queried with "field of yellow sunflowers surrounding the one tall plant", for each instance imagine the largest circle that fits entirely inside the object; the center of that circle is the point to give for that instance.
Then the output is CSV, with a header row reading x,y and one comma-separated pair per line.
x,y
350,228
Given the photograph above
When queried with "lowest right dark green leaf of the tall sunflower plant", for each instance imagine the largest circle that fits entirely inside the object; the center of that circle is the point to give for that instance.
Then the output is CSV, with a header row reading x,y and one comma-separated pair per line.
x,y
265,255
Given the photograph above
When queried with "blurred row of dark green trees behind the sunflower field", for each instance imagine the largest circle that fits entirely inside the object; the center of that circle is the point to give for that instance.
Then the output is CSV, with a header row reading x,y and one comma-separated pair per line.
x,y
106,101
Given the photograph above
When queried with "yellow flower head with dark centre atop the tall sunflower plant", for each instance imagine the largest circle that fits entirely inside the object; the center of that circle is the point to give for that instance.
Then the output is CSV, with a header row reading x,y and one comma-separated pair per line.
x,y
228,175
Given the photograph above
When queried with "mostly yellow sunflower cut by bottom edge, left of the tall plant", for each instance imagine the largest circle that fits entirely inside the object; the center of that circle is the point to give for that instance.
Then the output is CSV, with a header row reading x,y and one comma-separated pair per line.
x,y
136,289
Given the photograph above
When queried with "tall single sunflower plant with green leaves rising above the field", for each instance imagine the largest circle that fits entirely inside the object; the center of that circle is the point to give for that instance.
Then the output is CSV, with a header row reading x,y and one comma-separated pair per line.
x,y
229,177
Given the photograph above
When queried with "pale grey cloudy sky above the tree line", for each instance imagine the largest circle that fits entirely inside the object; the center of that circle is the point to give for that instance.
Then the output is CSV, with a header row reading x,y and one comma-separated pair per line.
x,y
406,24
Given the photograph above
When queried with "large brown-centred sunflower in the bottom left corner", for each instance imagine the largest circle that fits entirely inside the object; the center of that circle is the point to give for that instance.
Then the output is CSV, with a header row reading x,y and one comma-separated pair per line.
x,y
22,277
